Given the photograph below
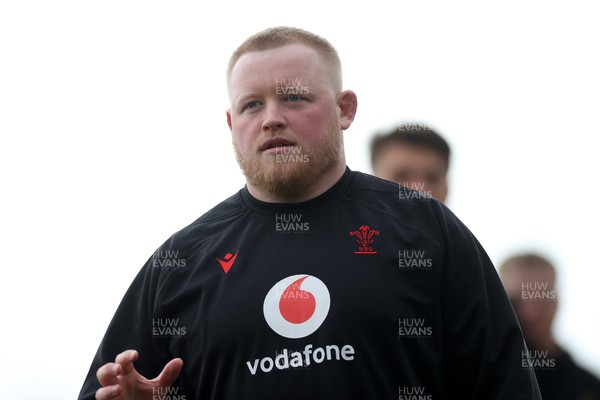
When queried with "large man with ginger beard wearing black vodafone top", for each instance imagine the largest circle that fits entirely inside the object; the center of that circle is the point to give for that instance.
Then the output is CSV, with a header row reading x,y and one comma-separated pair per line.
x,y
313,281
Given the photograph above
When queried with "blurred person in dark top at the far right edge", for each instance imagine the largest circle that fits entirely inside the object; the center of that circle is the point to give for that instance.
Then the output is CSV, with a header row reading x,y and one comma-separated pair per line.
x,y
530,281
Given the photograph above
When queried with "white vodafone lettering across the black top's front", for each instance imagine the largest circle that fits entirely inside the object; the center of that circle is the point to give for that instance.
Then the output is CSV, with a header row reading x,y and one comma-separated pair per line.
x,y
297,359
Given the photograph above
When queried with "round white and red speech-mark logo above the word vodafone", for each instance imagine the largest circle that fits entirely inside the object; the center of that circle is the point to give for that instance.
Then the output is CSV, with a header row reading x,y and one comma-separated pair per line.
x,y
296,306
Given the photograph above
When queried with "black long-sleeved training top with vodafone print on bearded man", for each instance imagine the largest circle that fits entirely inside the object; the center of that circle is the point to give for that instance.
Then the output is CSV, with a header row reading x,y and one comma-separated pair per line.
x,y
368,291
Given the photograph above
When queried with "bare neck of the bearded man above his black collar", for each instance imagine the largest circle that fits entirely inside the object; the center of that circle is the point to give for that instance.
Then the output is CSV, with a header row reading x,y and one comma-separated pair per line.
x,y
319,187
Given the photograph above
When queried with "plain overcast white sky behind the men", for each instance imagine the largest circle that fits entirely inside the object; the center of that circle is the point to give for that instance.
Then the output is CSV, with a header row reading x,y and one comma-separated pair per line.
x,y
113,136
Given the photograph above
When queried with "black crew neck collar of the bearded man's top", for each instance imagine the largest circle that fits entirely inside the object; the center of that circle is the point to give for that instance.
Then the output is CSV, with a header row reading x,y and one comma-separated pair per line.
x,y
322,200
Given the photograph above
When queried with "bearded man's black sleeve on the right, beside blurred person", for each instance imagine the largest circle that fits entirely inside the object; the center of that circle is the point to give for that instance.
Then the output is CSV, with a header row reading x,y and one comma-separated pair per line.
x,y
484,346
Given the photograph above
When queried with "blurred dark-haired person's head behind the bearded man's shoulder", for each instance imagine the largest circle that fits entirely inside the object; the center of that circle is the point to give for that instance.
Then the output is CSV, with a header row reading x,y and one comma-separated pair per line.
x,y
415,156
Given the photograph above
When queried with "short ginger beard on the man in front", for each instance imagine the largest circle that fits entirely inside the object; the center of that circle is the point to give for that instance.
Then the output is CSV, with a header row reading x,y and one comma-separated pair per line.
x,y
290,177
